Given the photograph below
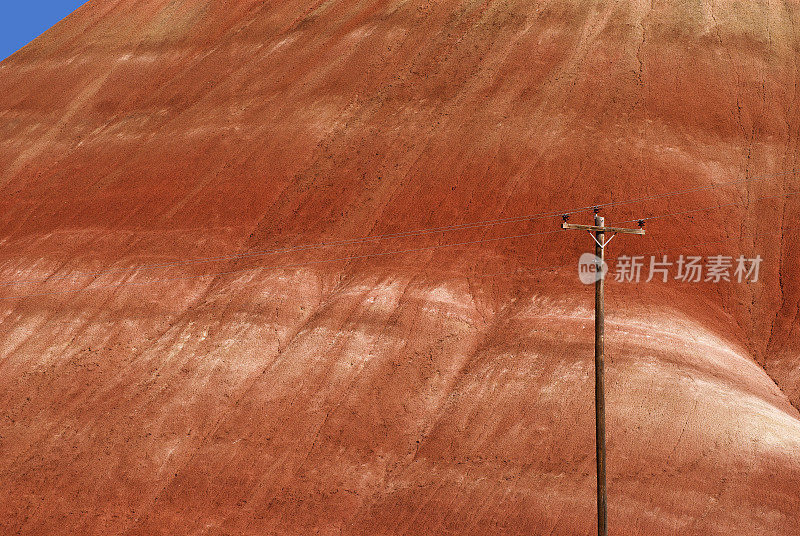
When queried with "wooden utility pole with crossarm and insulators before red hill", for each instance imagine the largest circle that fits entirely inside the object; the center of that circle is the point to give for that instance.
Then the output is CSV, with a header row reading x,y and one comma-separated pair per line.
x,y
600,230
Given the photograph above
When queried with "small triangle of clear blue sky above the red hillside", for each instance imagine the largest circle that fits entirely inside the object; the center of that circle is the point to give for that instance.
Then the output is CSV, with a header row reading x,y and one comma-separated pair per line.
x,y
21,21
